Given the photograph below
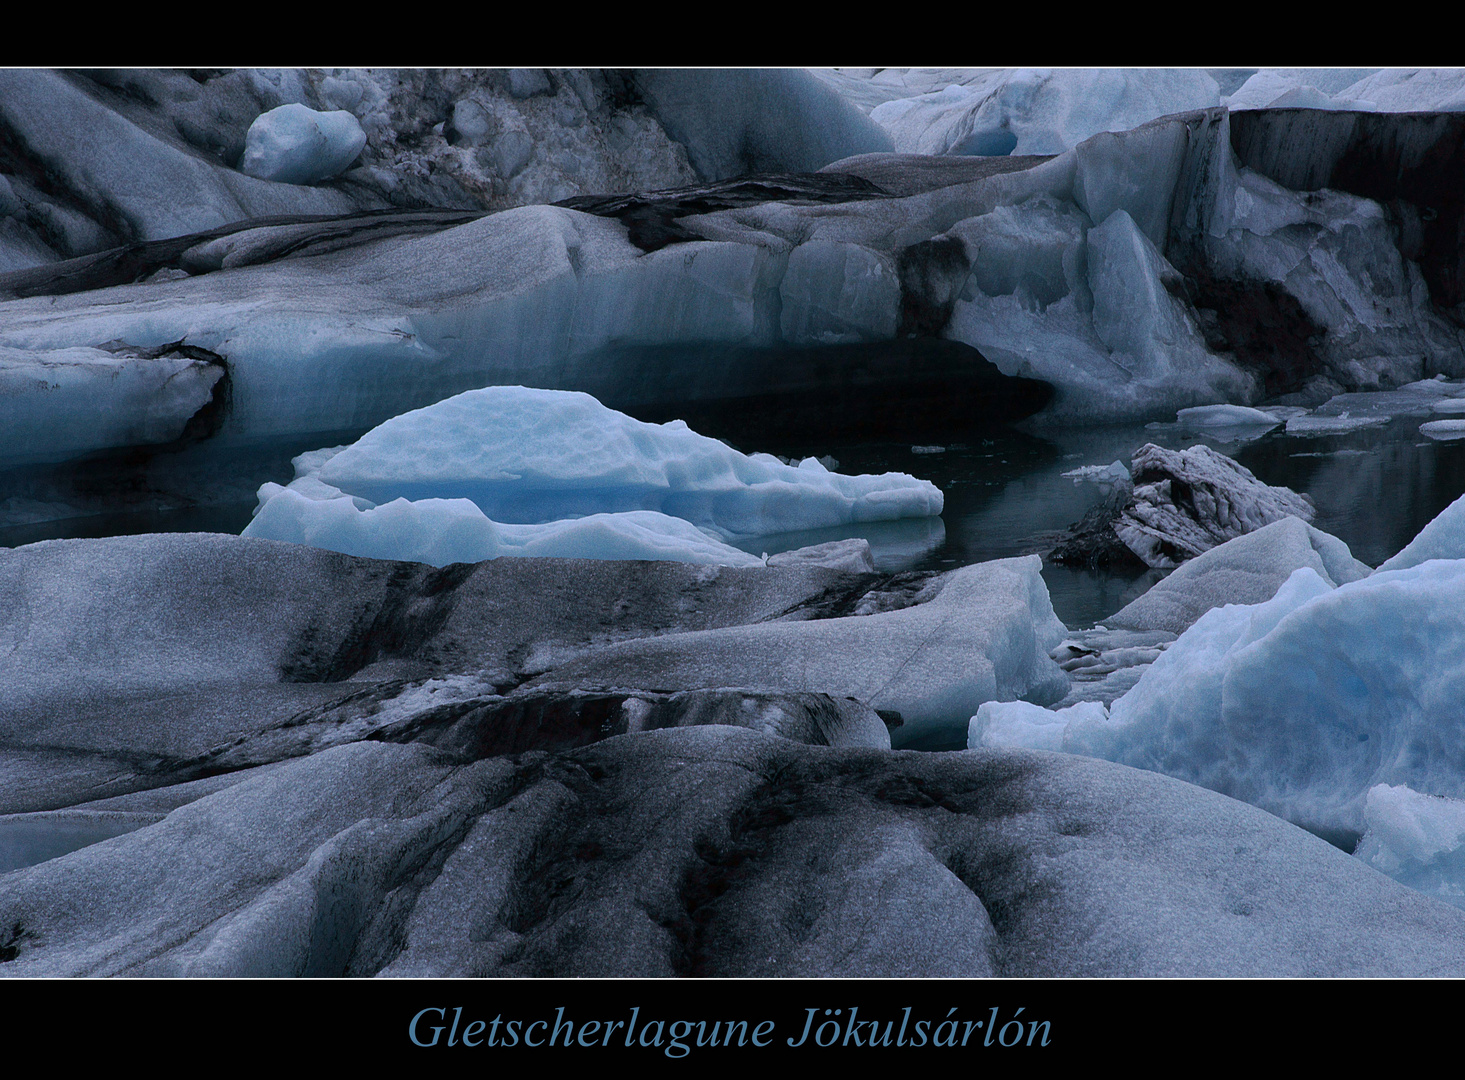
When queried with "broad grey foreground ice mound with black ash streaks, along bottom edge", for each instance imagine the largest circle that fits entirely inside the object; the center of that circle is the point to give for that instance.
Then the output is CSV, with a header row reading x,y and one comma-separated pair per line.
x,y
716,852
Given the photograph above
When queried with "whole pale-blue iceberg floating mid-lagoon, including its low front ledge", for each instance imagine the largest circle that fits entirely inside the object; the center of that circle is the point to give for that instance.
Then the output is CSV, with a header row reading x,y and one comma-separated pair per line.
x,y
513,471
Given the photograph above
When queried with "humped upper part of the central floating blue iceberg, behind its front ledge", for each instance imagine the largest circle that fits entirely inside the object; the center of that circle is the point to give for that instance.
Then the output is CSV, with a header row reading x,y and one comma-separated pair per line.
x,y
533,456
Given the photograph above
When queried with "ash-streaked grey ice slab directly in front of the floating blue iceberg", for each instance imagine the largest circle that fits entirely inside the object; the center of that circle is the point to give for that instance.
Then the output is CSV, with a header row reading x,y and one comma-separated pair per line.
x,y
141,662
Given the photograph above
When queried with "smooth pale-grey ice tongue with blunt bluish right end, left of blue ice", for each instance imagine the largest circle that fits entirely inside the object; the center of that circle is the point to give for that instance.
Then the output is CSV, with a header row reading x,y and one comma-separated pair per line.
x,y
985,635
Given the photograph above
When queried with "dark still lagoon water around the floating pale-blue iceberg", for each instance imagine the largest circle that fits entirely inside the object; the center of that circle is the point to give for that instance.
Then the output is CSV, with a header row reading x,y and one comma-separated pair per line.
x,y
1006,496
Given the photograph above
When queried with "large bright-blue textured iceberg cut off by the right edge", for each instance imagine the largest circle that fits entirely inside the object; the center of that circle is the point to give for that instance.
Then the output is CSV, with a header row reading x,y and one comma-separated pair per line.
x,y
1306,703
